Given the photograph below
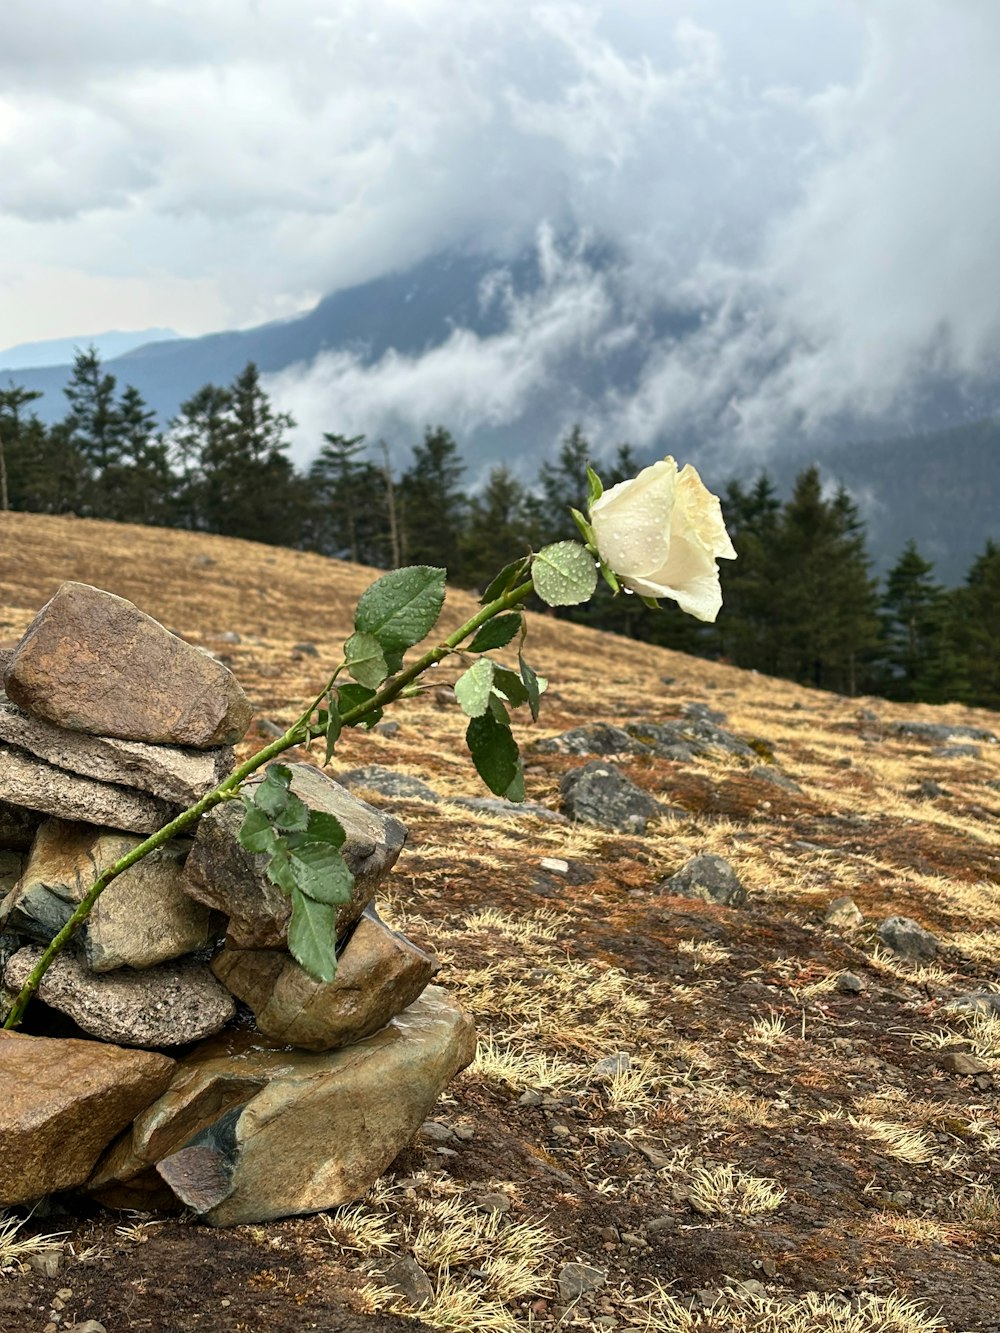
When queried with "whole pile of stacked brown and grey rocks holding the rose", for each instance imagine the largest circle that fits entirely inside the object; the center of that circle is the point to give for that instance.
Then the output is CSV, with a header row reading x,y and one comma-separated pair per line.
x,y
110,726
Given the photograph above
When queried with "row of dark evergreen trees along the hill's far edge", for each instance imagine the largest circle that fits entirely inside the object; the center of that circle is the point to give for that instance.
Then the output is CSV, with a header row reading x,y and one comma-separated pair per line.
x,y
799,603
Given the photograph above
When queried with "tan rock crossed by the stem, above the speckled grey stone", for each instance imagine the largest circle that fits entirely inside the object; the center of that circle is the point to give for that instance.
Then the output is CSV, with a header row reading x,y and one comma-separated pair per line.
x,y
143,918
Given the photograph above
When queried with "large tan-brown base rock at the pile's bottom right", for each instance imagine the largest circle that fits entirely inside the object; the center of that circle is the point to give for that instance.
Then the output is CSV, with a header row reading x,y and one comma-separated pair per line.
x,y
298,1131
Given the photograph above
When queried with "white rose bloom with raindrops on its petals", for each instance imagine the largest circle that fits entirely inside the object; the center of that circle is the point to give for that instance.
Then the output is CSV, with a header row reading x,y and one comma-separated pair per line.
x,y
662,534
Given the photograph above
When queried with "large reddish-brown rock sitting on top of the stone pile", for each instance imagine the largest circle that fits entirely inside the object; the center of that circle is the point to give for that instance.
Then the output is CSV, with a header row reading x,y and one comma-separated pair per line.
x,y
94,663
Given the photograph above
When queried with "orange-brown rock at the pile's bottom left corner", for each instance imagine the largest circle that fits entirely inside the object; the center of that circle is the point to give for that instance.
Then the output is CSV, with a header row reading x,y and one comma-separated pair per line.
x,y
62,1102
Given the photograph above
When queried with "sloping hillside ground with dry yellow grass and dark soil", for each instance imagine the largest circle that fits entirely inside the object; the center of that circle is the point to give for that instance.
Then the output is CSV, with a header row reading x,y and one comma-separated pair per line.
x,y
789,1144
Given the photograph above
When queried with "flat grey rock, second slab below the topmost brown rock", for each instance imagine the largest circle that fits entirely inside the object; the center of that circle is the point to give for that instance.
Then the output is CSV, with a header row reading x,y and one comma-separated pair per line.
x,y
30,782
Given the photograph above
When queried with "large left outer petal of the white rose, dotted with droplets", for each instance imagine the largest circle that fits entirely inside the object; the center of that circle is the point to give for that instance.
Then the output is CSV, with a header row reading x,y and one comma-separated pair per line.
x,y
633,521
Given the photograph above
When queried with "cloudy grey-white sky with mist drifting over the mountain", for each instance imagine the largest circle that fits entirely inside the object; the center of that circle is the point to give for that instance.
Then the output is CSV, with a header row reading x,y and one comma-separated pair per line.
x,y
821,175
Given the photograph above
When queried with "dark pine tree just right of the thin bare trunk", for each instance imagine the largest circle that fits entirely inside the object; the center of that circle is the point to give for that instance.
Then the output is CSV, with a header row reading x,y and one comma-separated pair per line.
x,y
433,505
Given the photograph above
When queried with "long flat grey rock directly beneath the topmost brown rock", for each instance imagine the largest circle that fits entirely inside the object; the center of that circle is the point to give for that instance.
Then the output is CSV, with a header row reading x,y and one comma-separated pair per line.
x,y
173,774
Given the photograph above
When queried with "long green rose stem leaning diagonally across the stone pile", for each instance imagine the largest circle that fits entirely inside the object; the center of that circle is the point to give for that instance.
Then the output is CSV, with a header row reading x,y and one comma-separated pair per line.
x,y
297,734
